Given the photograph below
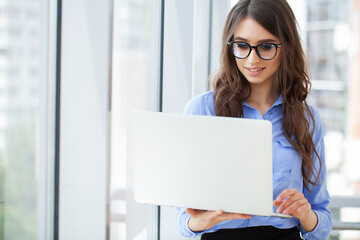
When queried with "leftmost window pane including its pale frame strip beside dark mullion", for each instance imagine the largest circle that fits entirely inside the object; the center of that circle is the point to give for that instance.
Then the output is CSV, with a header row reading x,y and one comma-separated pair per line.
x,y
24,125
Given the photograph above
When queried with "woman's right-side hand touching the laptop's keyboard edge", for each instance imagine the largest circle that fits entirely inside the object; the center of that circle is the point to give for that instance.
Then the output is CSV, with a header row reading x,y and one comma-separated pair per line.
x,y
292,202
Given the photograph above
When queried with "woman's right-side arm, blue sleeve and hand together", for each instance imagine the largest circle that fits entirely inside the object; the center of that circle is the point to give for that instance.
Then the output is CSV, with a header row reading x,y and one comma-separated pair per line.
x,y
310,207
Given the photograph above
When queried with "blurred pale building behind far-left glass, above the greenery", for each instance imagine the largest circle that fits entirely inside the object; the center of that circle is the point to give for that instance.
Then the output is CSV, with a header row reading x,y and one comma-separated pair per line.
x,y
19,61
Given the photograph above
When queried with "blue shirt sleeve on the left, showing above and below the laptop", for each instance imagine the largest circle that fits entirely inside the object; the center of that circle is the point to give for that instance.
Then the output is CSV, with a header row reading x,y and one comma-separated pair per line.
x,y
193,107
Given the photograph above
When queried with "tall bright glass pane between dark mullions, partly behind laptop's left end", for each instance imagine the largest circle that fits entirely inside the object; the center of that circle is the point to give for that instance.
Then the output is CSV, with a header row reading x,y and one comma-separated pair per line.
x,y
134,86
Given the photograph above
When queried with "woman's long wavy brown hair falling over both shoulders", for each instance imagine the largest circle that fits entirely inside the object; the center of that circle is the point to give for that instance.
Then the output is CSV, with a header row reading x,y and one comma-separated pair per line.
x,y
231,88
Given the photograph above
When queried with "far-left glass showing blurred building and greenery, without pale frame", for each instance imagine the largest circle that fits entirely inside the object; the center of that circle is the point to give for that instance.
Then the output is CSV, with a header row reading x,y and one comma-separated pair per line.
x,y
19,103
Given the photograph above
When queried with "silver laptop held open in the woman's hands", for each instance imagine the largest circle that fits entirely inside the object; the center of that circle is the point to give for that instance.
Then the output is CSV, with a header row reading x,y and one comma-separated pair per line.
x,y
202,162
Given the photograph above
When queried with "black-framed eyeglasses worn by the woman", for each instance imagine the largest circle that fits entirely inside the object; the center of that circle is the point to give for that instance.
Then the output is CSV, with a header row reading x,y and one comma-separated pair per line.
x,y
266,51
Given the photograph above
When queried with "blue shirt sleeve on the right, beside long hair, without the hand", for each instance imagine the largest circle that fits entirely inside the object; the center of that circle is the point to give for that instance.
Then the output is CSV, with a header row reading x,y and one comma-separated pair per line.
x,y
319,197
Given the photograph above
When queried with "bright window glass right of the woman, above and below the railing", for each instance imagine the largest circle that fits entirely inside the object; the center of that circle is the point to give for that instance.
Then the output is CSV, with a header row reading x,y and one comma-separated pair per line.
x,y
334,59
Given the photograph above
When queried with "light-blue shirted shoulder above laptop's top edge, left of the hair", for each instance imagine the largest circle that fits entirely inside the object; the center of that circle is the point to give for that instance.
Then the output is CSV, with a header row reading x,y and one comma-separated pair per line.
x,y
202,104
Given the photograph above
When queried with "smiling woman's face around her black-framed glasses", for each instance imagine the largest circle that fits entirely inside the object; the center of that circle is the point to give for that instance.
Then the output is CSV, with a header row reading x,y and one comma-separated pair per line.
x,y
256,70
